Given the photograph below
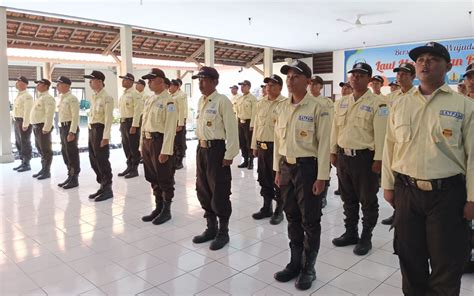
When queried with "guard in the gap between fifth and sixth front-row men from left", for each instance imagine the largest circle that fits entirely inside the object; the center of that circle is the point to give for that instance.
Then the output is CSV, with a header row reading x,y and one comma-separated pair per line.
x,y
181,99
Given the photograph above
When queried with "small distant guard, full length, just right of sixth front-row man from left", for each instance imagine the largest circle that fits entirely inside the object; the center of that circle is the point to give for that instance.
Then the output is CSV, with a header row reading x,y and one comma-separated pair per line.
x,y
245,110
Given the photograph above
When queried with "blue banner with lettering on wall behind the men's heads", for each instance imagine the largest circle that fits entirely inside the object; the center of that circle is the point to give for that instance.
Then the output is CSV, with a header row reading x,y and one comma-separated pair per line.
x,y
384,59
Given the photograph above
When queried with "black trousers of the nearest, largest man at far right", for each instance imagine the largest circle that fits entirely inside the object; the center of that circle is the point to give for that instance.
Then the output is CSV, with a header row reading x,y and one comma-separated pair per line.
x,y
430,231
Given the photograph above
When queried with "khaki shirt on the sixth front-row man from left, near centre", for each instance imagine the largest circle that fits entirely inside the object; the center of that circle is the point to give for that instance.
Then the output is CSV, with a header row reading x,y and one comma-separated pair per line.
x,y
216,121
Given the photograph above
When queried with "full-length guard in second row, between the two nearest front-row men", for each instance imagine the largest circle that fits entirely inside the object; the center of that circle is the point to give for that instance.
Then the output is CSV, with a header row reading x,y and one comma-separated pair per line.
x,y
356,150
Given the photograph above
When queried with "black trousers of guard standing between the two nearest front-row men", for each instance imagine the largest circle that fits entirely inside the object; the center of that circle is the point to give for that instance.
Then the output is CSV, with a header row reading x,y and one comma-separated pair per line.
x,y
358,184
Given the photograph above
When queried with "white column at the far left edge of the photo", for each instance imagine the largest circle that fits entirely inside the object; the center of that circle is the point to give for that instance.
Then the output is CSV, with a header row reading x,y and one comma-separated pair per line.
x,y
5,121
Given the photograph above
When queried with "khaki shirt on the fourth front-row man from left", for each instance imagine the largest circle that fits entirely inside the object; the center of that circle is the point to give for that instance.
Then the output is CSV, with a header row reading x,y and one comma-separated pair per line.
x,y
102,109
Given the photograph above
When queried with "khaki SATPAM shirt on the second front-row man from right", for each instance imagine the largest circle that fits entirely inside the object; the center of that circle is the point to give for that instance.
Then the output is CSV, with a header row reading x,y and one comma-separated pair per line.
x,y
302,131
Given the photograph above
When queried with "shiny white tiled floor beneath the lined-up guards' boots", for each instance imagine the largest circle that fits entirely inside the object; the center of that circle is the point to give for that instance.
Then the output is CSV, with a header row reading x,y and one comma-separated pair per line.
x,y
57,242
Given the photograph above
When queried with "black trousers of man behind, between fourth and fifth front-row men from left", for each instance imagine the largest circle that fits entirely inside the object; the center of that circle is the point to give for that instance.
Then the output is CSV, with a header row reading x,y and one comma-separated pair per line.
x,y
130,143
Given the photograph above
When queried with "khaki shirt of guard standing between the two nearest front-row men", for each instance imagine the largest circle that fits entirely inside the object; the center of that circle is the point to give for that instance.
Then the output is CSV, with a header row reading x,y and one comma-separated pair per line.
x,y
359,124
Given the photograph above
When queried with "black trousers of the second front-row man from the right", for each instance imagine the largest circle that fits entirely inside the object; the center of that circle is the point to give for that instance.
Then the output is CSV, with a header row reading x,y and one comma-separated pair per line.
x,y
302,208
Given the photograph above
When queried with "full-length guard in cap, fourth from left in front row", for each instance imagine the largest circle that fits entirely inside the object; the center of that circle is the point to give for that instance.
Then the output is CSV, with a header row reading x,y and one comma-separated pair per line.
x,y
100,121
